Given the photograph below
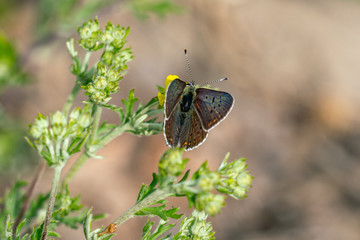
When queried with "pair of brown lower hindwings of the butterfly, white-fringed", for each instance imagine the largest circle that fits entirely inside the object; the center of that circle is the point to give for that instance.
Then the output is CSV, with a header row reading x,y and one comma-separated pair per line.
x,y
184,129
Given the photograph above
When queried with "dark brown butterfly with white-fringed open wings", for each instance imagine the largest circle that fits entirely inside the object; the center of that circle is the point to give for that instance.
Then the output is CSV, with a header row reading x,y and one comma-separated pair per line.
x,y
191,112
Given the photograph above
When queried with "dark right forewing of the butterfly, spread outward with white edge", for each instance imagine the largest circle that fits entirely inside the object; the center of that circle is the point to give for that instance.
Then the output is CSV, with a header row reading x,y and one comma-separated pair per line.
x,y
212,106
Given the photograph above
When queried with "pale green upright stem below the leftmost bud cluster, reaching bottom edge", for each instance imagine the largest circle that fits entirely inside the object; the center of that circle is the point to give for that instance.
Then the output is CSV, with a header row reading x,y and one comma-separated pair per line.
x,y
52,198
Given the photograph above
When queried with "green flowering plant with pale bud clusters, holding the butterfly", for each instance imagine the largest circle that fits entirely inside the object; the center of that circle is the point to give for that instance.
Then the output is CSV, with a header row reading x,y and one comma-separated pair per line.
x,y
59,136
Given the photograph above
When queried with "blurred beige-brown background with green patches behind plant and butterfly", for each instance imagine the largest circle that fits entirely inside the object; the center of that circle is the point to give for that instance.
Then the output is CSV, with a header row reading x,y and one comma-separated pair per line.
x,y
293,69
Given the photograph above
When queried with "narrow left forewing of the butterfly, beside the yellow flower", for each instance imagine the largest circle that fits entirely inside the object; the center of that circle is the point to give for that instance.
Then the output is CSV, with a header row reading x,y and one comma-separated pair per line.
x,y
173,95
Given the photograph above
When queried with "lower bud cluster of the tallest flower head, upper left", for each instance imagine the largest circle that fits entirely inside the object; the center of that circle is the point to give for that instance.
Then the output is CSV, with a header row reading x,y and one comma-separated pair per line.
x,y
104,83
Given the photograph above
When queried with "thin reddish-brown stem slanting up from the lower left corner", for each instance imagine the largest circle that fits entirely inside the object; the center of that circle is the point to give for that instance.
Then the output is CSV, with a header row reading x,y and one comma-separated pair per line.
x,y
29,193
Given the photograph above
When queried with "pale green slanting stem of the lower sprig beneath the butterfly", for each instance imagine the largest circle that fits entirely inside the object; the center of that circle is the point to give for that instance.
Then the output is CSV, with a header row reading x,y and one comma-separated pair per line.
x,y
151,199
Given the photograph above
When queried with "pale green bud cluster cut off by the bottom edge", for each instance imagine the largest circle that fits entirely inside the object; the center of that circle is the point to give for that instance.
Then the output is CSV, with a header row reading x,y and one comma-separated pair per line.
x,y
195,227
